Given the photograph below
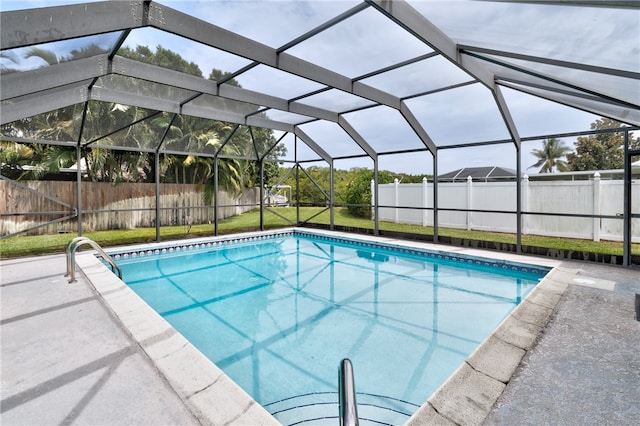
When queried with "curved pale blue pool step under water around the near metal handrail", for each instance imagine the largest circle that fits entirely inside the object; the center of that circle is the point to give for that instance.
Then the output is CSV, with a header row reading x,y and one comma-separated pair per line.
x,y
322,408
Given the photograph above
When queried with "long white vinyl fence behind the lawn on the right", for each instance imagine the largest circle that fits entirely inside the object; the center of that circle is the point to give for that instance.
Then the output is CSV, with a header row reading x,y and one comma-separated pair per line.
x,y
591,197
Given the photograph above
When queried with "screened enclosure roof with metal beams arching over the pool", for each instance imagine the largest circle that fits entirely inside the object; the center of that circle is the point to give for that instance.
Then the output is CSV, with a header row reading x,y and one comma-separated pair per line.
x,y
348,78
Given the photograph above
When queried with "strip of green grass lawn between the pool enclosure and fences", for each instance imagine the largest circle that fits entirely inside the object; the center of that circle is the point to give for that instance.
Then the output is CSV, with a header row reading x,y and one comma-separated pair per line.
x,y
45,244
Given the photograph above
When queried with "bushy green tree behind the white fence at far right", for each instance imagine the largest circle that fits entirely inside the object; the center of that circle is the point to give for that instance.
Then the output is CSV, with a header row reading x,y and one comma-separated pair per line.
x,y
602,151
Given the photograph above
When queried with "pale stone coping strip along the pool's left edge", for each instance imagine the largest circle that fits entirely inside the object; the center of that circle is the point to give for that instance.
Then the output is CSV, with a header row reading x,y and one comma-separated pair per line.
x,y
195,379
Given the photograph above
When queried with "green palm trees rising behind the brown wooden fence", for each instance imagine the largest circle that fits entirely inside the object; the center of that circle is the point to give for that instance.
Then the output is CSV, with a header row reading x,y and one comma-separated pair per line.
x,y
187,134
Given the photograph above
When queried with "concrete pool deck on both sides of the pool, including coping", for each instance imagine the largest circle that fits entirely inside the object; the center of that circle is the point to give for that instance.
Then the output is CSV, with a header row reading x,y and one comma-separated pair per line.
x,y
70,356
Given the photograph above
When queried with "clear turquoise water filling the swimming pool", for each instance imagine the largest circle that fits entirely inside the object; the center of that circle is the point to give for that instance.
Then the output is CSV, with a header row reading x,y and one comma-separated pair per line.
x,y
278,314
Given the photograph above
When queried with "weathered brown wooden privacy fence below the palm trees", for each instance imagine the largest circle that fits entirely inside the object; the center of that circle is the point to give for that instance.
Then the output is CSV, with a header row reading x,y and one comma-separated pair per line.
x,y
106,206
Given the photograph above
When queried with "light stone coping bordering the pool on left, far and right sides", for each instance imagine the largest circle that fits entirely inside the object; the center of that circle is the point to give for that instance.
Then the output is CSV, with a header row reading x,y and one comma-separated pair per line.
x,y
466,397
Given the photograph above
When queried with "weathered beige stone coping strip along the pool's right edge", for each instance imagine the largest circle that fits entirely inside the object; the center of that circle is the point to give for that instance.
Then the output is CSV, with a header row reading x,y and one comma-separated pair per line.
x,y
468,396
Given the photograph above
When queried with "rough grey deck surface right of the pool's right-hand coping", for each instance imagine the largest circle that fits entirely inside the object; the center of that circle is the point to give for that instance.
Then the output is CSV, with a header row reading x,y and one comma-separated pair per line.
x,y
585,369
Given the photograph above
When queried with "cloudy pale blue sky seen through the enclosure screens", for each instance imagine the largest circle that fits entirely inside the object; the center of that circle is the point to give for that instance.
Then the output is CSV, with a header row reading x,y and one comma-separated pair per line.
x,y
369,41
